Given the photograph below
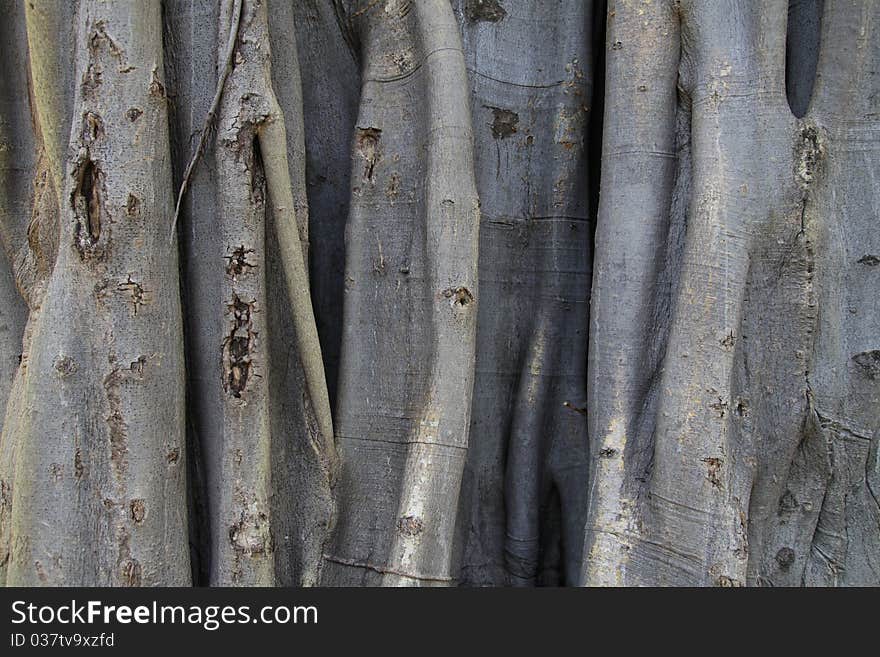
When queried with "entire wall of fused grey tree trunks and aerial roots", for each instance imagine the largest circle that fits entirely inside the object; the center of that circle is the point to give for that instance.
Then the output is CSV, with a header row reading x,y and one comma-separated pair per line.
x,y
438,292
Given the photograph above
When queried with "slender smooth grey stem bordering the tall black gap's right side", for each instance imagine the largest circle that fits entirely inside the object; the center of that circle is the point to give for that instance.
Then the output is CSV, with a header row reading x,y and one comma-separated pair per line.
x,y
642,49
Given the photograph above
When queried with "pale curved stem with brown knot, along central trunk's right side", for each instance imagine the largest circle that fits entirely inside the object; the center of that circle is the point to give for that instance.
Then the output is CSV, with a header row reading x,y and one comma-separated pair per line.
x,y
433,469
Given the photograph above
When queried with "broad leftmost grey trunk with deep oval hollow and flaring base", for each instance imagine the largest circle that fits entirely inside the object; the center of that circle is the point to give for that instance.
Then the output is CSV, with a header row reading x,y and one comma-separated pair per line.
x,y
100,459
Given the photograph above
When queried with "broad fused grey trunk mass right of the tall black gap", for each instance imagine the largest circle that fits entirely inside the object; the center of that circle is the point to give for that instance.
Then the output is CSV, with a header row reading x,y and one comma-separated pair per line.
x,y
744,450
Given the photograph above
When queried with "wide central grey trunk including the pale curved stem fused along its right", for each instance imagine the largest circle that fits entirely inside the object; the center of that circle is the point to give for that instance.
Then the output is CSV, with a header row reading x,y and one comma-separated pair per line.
x,y
411,289
